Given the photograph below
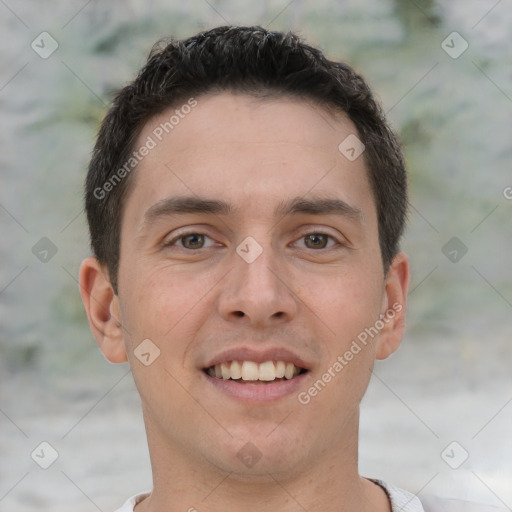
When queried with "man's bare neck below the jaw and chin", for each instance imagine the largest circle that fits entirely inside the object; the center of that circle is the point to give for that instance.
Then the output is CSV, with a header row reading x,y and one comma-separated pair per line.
x,y
183,482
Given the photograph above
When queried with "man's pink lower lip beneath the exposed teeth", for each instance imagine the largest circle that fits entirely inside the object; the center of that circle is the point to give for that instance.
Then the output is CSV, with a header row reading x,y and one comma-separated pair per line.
x,y
257,392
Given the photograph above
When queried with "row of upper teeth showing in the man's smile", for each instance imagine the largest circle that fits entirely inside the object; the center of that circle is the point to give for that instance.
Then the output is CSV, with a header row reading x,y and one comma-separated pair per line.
x,y
251,371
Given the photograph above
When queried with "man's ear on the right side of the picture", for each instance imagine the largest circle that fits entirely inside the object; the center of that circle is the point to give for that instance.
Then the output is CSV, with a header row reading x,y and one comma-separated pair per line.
x,y
393,306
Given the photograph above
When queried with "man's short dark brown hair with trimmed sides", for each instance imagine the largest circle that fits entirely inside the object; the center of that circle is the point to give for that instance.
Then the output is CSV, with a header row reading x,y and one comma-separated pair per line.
x,y
242,59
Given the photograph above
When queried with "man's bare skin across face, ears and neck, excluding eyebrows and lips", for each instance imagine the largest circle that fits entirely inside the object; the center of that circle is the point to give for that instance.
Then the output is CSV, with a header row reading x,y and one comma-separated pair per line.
x,y
315,300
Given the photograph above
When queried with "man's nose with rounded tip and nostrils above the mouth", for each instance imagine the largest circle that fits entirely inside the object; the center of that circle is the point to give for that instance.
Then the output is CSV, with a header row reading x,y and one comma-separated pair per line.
x,y
258,293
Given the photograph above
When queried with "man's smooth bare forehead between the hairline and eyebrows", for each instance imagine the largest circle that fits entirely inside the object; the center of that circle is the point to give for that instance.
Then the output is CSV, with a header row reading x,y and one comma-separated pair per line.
x,y
249,152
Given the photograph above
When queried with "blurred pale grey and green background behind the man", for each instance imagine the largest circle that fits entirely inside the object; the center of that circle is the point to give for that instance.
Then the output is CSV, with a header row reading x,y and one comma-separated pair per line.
x,y
437,418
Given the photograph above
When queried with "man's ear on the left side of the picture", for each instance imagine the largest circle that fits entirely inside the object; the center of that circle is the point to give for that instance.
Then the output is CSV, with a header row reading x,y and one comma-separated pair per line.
x,y
102,308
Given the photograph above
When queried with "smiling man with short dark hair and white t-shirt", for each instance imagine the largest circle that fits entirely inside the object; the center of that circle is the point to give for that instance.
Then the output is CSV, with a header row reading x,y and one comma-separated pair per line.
x,y
245,200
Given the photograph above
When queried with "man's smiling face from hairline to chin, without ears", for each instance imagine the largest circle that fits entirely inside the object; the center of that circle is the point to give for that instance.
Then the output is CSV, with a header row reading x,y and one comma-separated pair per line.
x,y
272,275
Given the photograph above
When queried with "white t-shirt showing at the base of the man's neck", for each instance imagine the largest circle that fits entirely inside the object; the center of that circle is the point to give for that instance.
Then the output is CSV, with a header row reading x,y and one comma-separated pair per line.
x,y
401,501
